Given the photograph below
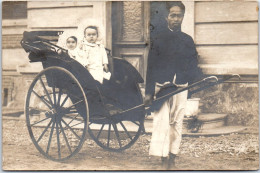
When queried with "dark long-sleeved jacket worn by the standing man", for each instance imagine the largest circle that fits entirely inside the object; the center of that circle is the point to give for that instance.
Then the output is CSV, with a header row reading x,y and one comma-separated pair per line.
x,y
171,53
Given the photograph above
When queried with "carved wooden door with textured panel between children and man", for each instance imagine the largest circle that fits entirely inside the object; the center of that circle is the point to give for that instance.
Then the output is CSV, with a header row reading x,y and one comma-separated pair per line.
x,y
130,32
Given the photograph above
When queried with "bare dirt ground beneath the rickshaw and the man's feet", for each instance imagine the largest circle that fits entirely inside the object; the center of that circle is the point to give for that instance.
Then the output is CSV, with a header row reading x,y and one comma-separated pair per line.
x,y
229,152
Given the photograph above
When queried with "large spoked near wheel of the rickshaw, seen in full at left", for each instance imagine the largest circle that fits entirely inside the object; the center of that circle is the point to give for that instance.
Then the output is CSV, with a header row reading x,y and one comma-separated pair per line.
x,y
57,113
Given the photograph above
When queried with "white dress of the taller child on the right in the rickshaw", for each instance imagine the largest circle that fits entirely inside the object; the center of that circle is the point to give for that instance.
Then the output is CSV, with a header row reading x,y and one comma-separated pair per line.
x,y
94,56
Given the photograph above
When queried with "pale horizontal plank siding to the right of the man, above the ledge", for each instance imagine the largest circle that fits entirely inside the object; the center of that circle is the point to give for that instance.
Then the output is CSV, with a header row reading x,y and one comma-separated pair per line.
x,y
226,35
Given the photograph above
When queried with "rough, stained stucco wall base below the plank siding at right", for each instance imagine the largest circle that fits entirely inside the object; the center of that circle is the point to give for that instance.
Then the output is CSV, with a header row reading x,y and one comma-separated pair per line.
x,y
238,100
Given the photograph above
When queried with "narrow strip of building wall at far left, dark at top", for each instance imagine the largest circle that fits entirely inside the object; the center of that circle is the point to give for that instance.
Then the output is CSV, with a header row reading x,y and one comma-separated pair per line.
x,y
14,22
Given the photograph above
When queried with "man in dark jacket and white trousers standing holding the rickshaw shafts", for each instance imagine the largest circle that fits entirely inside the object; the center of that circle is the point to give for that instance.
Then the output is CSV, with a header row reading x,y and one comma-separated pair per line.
x,y
172,58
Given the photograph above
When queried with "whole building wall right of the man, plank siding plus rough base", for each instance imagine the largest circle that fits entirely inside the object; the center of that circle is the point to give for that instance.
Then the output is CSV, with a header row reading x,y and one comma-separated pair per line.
x,y
226,35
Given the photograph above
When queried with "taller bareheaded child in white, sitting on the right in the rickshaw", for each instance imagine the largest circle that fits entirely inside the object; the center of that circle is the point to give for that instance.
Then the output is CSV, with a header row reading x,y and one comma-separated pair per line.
x,y
93,54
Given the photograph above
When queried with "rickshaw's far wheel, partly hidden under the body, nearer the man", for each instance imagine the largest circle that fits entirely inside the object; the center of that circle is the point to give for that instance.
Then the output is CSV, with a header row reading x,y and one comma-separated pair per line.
x,y
117,135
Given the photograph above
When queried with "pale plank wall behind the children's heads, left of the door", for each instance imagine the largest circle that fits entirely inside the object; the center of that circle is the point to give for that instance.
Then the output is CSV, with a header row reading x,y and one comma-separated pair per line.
x,y
67,15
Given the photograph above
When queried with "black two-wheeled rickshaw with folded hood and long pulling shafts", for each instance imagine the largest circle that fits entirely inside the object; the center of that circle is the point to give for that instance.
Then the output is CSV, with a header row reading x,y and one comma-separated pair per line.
x,y
64,102
